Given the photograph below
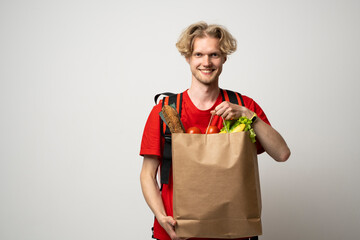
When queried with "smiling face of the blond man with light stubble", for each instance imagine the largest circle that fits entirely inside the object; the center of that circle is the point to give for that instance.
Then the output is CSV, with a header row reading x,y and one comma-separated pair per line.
x,y
206,60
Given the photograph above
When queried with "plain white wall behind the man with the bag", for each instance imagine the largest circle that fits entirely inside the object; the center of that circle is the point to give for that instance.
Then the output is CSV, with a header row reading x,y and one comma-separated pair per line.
x,y
77,79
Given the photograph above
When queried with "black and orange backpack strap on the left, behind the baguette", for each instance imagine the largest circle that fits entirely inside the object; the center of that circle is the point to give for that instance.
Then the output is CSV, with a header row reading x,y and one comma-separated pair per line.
x,y
167,154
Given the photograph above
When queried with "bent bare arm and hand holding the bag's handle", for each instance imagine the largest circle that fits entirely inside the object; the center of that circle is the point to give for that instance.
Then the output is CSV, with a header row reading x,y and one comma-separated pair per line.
x,y
270,139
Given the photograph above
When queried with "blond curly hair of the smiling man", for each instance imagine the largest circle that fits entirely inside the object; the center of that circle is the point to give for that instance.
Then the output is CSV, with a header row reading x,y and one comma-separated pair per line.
x,y
202,29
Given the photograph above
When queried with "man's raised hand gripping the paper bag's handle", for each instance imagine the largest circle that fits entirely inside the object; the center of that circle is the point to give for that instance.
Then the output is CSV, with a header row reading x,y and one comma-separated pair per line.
x,y
230,111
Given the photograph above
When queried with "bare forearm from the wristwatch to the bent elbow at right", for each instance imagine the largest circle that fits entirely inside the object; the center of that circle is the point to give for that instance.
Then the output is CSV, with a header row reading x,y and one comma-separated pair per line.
x,y
272,142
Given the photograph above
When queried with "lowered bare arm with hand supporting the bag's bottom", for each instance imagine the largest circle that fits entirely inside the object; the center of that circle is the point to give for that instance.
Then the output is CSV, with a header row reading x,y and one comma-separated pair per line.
x,y
152,194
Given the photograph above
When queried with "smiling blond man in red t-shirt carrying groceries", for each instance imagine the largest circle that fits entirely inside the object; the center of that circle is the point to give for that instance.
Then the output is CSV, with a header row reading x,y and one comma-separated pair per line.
x,y
205,48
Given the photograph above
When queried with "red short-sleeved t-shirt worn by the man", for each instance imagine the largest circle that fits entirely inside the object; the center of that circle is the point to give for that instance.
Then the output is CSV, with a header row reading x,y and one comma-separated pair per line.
x,y
152,142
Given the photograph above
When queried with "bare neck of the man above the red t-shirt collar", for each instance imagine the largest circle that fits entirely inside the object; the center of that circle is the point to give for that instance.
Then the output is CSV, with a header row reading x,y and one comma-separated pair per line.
x,y
203,96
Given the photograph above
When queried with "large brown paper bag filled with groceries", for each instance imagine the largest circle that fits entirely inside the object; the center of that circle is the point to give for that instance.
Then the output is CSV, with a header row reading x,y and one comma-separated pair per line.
x,y
216,186
